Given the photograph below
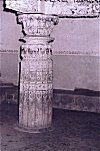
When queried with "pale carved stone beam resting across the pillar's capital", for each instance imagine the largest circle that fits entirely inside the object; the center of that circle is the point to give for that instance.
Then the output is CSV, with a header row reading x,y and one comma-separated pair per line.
x,y
59,7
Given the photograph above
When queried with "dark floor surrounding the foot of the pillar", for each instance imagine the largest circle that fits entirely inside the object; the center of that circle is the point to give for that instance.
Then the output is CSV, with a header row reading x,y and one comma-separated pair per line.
x,y
74,131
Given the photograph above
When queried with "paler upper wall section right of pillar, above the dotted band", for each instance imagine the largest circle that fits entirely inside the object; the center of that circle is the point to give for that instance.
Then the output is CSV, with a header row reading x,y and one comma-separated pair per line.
x,y
79,34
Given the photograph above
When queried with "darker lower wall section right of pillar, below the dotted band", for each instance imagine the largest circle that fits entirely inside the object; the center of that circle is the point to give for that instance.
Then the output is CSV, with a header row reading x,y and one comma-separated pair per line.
x,y
72,72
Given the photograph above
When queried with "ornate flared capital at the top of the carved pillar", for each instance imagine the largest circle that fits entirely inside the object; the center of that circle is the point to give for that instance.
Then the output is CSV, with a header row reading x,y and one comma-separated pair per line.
x,y
37,24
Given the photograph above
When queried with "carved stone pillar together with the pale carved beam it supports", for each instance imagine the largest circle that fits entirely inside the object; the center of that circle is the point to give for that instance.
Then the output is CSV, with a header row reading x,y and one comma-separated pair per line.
x,y
35,105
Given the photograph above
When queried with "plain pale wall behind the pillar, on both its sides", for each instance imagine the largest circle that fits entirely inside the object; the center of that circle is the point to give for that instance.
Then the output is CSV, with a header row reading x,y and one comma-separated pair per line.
x,y
71,34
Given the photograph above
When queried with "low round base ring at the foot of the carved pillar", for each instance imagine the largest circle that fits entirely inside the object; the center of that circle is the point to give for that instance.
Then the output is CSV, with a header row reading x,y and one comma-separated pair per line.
x,y
33,130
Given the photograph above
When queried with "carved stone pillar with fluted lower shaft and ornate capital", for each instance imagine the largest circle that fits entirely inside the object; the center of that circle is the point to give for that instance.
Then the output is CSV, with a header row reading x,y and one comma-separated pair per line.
x,y
36,77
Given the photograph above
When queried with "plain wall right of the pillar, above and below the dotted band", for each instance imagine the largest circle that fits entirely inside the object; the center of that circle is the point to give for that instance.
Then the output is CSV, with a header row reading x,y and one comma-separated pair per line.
x,y
72,71
